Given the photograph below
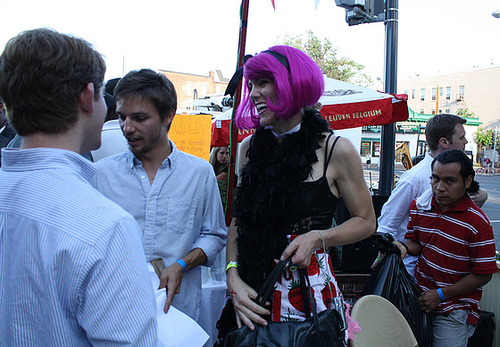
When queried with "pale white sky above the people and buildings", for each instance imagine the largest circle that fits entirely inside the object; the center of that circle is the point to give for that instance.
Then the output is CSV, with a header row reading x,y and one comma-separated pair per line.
x,y
196,36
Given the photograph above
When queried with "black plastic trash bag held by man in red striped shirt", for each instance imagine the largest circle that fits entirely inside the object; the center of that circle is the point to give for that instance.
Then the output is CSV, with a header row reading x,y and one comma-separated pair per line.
x,y
391,281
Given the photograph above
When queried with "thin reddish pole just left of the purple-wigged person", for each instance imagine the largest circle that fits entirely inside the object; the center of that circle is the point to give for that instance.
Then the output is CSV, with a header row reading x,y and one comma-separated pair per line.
x,y
237,96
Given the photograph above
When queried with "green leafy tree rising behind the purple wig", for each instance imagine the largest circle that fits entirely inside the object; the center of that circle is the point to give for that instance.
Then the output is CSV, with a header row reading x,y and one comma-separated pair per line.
x,y
325,55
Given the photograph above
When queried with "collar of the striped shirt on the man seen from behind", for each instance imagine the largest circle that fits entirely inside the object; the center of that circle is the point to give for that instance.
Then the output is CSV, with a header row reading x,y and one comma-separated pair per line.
x,y
14,159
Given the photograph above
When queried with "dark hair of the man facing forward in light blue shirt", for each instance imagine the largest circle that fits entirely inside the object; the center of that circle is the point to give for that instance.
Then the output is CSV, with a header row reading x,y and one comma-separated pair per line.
x,y
150,85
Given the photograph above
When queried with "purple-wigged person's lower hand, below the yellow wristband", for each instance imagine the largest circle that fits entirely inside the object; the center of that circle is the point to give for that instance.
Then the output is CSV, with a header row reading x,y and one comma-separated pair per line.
x,y
242,295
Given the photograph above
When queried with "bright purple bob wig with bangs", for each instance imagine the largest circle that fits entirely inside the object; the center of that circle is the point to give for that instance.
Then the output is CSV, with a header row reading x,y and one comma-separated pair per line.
x,y
299,87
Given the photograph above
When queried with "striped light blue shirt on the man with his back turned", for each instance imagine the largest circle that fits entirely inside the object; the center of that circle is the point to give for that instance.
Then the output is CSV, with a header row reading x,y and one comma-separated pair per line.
x,y
72,270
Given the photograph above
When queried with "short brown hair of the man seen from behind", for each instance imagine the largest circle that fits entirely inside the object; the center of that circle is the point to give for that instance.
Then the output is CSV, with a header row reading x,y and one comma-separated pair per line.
x,y
42,74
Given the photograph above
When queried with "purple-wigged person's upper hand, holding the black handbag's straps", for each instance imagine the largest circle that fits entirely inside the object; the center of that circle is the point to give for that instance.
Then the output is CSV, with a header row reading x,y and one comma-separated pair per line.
x,y
302,248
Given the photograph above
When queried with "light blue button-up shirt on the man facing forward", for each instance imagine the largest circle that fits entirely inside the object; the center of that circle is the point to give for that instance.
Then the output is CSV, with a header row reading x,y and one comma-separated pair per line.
x,y
179,212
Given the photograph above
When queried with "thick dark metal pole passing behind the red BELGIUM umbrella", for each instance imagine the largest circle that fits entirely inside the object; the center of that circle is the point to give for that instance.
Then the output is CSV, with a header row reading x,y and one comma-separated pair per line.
x,y
388,135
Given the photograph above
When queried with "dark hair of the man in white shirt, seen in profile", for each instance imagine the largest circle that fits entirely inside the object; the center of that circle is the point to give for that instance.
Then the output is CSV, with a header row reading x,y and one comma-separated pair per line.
x,y
441,125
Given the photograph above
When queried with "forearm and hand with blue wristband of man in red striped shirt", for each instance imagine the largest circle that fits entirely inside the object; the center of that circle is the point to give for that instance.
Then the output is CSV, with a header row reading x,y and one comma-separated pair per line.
x,y
430,299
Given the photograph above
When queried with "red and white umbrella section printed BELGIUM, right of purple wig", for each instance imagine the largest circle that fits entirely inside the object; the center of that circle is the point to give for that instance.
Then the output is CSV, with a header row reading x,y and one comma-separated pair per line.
x,y
346,105
